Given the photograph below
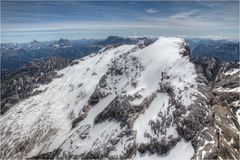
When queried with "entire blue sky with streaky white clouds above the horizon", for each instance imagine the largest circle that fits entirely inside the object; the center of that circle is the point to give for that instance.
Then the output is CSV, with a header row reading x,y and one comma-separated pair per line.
x,y
23,21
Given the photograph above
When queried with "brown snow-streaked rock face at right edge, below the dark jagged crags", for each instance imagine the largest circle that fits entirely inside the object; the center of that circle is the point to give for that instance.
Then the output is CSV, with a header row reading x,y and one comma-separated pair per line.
x,y
226,105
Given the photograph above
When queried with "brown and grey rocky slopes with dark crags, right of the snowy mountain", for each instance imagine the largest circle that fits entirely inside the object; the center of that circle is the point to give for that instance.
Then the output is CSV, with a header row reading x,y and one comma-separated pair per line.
x,y
224,79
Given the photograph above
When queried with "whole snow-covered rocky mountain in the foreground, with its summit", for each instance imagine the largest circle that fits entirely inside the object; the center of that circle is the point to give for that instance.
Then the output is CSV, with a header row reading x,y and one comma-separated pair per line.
x,y
123,102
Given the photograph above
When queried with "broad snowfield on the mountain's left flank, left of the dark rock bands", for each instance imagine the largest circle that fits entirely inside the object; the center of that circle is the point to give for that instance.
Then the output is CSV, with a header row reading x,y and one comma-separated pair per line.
x,y
54,109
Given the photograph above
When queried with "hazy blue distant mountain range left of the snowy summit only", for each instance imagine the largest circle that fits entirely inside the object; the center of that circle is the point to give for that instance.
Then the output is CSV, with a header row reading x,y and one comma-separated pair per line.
x,y
15,55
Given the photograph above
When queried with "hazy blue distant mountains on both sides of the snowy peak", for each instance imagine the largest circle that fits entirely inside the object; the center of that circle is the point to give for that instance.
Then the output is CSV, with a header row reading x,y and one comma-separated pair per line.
x,y
15,55
